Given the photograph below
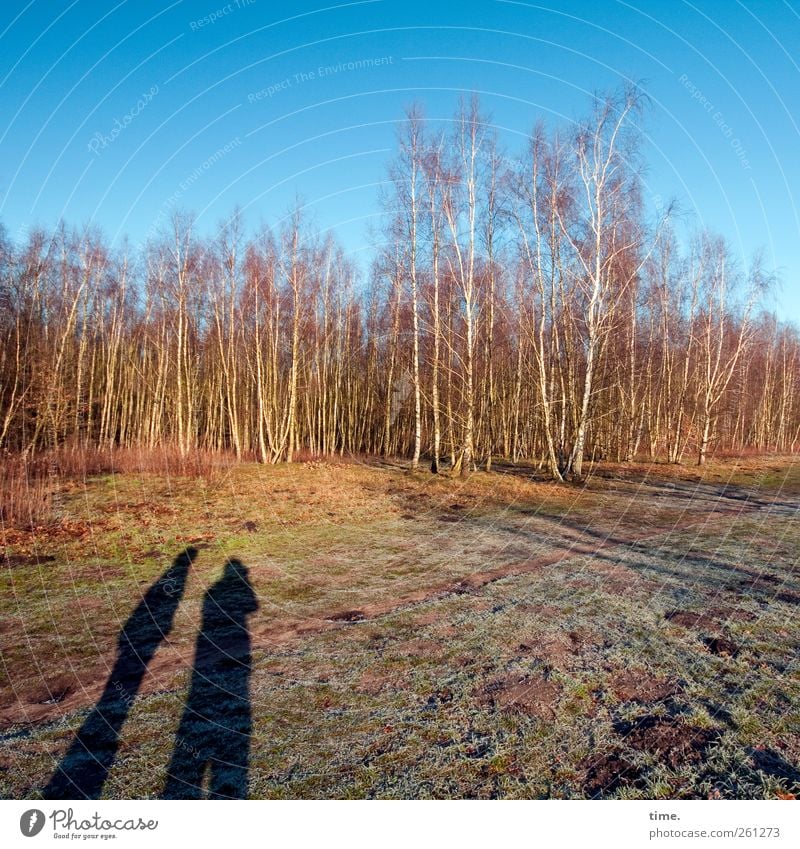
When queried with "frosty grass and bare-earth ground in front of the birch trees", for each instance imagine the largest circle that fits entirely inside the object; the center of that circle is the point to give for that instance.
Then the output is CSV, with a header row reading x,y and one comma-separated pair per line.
x,y
419,636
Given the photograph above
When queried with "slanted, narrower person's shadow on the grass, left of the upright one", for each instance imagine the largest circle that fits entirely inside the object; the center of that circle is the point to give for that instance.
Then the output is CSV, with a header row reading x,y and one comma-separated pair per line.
x,y
84,769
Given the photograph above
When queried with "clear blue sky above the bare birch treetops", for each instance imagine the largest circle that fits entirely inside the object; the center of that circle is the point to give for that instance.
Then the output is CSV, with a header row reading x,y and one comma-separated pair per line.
x,y
184,80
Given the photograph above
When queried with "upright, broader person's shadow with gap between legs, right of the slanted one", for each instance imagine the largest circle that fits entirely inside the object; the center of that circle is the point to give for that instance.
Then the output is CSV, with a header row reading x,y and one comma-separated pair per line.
x,y
214,733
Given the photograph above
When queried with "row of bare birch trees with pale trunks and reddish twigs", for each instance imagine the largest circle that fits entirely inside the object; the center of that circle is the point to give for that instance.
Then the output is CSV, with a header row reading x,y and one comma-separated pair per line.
x,y
524,308
